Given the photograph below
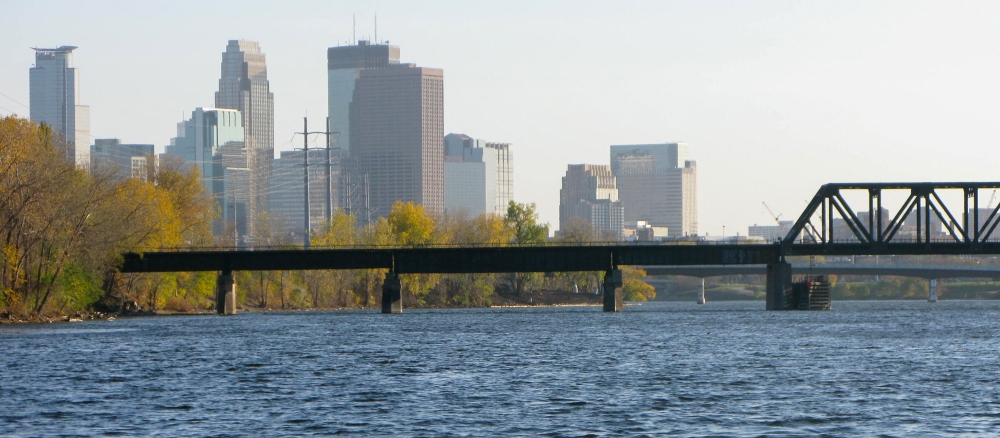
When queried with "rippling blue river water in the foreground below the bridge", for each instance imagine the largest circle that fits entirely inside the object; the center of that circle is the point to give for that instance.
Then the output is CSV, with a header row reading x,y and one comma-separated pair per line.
x,y
721,369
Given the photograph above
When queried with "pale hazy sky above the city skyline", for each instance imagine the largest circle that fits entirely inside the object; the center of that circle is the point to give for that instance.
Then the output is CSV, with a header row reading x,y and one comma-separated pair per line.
x,y
774,98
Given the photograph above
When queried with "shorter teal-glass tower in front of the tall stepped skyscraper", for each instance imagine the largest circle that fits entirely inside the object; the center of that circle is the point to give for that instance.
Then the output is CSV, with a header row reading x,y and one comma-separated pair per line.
x,y
213,140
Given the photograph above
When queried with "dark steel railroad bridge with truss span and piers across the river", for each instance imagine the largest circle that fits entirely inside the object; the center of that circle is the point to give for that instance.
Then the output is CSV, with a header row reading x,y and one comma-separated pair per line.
x,y
970,231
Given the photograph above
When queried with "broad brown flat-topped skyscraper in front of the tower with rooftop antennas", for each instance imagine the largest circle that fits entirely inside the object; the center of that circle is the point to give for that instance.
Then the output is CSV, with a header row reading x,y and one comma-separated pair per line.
x,y
396,130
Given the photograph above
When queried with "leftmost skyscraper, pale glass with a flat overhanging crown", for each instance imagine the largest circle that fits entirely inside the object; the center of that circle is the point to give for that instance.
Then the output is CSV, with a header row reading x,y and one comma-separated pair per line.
x,y
55,101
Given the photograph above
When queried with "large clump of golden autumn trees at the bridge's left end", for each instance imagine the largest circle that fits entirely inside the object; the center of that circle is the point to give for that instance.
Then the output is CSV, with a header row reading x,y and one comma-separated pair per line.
x,y
64,229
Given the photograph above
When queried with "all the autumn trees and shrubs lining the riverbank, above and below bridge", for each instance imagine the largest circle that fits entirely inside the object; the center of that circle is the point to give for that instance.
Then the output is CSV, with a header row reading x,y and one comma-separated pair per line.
x,y
65,228
